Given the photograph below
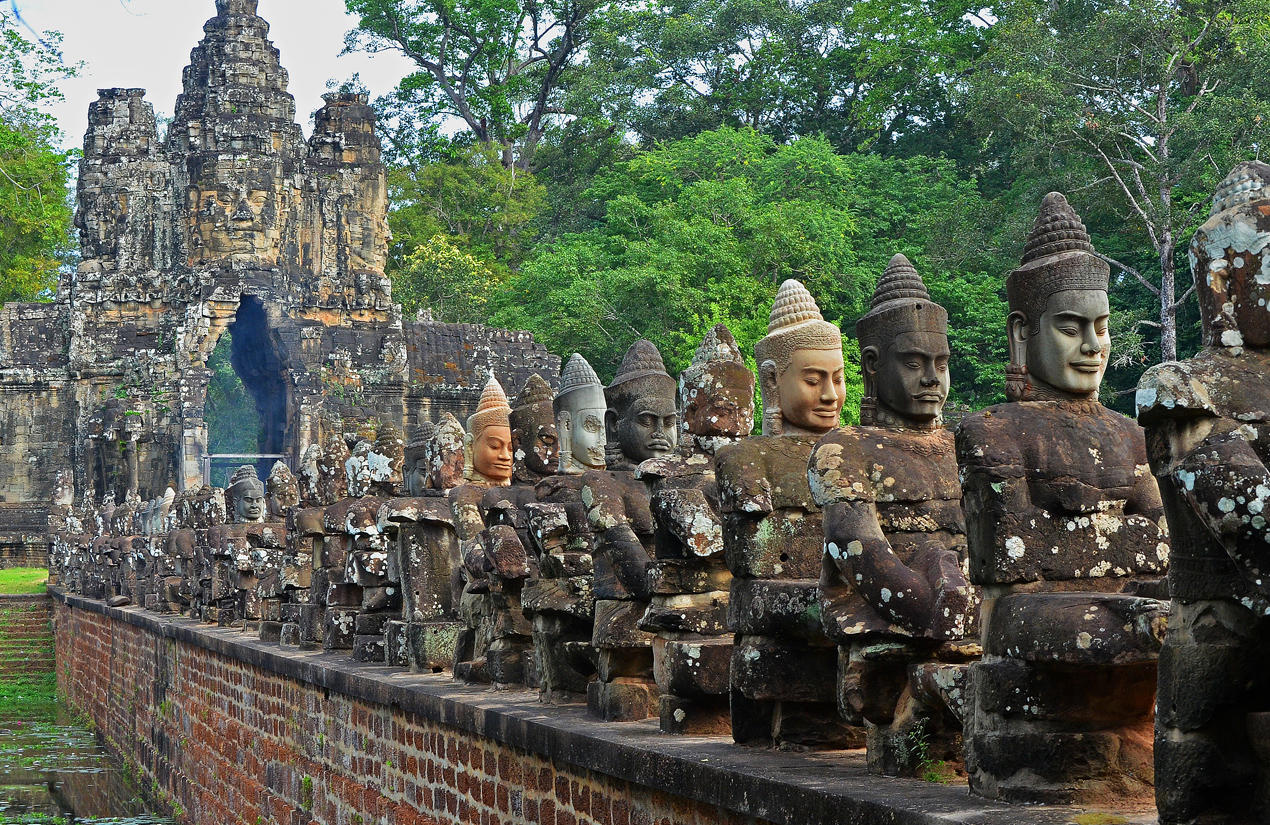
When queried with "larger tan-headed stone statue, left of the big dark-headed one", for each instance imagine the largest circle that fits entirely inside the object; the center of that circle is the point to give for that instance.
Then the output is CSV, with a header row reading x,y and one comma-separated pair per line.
x,y
783,667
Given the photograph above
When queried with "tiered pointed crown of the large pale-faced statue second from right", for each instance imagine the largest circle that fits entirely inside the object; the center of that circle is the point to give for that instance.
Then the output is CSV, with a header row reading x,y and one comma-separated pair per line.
x,y
1059,257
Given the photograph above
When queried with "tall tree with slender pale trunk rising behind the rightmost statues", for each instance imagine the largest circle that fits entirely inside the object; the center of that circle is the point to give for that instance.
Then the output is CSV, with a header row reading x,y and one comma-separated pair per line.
x,y
1144,105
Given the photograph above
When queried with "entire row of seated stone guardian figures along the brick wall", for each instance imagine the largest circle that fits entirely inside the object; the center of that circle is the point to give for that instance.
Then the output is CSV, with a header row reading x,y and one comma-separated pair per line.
x,y
1003,598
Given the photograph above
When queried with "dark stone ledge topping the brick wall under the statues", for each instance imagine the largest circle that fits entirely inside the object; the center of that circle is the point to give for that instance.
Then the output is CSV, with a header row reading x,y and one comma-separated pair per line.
x,y
830,789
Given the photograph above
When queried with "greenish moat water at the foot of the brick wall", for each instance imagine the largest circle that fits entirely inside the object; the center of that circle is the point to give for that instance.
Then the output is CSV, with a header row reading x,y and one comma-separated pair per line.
x,y
53,772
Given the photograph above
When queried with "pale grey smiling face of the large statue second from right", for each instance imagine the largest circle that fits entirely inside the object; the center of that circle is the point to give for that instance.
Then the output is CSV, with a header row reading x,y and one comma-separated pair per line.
x,y
1070,351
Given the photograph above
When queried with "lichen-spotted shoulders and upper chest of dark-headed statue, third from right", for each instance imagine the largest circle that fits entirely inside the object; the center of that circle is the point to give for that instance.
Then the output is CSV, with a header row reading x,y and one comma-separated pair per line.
x,y
873,464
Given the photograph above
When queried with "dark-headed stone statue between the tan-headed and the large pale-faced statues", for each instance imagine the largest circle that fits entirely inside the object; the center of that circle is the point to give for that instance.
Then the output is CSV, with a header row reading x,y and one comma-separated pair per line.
x,y
895,593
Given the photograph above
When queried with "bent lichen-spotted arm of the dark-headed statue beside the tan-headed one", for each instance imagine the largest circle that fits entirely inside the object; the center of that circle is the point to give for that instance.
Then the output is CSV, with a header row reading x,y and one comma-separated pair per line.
x,y
864,558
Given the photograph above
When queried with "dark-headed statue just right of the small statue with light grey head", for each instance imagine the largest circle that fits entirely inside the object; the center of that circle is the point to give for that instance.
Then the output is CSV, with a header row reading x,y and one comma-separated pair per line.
x,y
642,423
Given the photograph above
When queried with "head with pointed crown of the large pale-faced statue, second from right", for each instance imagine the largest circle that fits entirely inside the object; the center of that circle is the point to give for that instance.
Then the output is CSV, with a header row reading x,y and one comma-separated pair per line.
x,y
1059,312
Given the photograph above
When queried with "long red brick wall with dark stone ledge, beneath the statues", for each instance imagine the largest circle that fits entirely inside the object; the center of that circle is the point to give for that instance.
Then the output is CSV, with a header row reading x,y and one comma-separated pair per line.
x,y
239,732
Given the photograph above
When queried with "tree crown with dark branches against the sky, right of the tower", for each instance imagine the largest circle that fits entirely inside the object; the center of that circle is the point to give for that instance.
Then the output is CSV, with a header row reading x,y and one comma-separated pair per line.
x,y
496,65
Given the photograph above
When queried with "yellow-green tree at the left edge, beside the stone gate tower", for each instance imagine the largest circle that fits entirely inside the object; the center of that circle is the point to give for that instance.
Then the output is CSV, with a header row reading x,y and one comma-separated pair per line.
x,y
35,213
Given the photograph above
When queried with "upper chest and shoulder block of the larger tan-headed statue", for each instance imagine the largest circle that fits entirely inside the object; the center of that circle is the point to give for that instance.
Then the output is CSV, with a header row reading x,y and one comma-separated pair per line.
x,y
764,474
